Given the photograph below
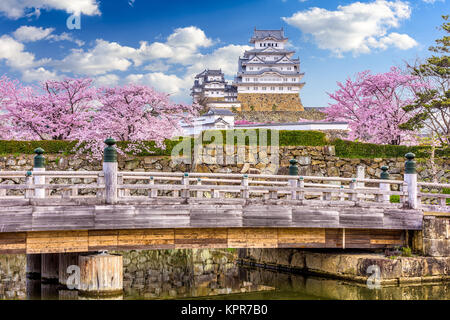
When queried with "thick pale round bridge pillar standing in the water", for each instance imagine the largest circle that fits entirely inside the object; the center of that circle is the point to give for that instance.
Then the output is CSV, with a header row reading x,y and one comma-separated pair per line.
x,y
101,275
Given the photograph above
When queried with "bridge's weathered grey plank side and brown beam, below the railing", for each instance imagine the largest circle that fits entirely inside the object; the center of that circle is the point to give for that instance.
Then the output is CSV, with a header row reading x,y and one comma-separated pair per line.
x,y
61,225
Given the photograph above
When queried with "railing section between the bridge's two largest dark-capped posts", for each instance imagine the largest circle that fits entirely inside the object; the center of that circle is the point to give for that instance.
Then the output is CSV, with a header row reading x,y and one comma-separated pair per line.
x,y
235,186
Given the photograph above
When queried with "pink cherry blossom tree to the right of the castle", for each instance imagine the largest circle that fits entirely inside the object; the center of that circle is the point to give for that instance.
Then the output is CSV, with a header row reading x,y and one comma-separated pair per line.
x,y
373,106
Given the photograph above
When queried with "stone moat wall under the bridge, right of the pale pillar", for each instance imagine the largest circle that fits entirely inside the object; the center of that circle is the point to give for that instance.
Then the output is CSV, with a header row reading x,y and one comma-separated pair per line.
x,y
181,273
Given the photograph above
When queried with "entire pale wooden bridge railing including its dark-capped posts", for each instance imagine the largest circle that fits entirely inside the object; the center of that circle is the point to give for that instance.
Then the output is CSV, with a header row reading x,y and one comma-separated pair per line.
x,y
111,186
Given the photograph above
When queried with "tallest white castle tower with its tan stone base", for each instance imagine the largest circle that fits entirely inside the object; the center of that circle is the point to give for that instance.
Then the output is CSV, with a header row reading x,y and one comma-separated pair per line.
x,y
269,78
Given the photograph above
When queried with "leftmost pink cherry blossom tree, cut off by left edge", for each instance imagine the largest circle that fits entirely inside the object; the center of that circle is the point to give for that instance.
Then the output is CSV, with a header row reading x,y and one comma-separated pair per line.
x,y
58,110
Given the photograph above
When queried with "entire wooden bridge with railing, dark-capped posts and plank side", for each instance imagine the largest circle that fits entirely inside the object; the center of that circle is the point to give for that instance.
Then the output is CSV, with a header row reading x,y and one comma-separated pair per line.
x,y
81,211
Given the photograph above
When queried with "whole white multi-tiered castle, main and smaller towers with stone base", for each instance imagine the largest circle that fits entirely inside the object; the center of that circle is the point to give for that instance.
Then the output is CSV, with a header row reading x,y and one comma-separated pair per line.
x,y
268,78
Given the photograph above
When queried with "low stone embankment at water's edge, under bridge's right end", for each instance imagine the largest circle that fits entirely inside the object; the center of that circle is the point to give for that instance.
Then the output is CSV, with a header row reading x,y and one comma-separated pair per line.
x,y
352,266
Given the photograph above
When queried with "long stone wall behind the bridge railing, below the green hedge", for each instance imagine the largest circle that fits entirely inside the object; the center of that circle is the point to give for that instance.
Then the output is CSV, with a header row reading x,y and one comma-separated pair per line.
x,y
313,161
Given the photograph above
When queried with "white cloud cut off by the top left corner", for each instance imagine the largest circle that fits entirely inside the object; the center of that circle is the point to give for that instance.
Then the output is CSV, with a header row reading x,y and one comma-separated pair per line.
x,y
15,9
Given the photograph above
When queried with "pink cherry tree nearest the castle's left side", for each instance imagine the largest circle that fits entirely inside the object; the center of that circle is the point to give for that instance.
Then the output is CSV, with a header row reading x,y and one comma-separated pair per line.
x,y
135,114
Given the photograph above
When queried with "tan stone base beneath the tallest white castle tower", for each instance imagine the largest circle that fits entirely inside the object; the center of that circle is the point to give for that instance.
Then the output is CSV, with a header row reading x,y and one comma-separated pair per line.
x,y
270,102
